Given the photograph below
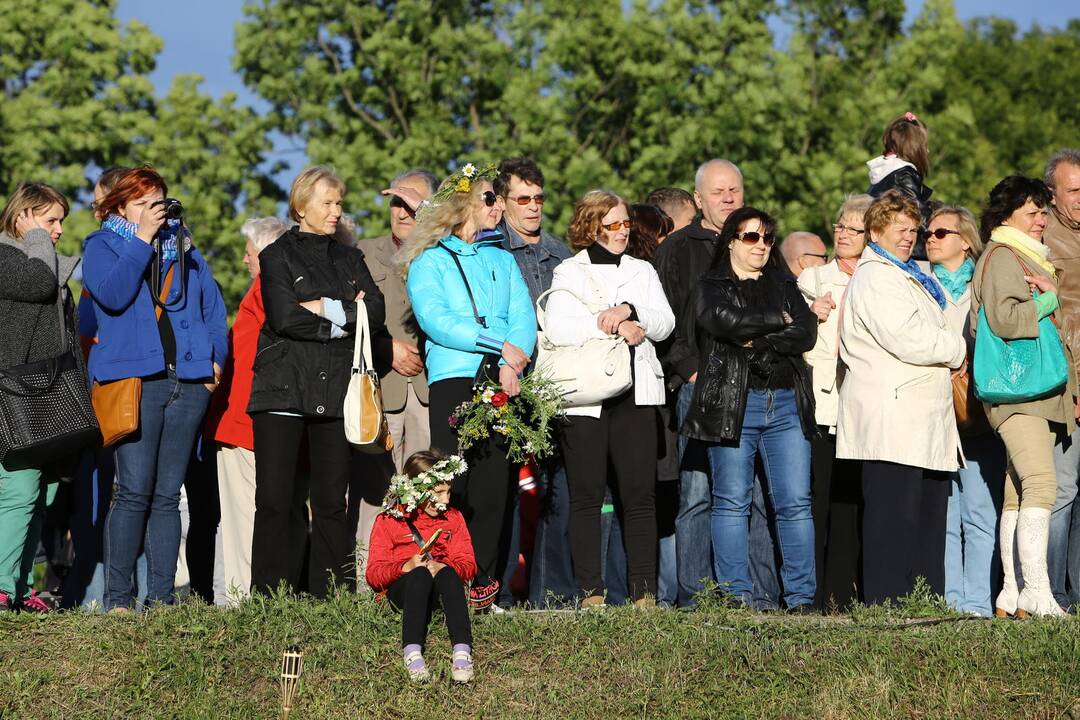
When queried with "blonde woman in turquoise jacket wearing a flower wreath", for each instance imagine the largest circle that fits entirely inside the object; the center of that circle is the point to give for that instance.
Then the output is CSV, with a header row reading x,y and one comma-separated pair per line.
x,y
475,308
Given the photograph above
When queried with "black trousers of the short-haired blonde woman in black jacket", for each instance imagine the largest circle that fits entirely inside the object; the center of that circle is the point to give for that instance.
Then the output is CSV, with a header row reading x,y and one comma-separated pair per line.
x,y
281,515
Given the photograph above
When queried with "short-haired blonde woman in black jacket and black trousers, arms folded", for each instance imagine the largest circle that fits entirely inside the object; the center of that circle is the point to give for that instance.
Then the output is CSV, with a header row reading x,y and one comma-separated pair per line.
x,y
312,286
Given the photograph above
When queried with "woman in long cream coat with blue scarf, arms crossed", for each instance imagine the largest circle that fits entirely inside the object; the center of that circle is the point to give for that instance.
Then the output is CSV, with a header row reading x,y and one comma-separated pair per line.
x,y
896,411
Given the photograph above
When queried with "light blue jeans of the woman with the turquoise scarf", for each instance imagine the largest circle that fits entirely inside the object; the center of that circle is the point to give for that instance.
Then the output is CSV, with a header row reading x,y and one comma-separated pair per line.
x,y
971,529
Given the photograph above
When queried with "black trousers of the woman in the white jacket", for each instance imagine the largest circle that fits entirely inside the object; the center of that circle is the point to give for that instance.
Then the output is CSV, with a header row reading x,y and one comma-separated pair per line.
x,y
625,434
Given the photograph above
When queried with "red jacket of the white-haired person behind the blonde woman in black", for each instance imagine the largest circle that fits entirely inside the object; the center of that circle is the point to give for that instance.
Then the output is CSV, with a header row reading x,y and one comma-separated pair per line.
x,y
227,420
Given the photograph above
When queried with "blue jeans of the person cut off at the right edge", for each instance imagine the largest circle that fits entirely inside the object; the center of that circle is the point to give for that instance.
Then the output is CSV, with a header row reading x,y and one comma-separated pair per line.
x,y
1063,554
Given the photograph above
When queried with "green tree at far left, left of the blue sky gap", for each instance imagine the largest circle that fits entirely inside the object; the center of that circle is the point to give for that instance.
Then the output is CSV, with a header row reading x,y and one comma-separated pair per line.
x,y
78,100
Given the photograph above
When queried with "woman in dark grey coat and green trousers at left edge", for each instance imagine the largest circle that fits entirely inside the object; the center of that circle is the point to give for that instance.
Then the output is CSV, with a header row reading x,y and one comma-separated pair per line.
x,y
33,284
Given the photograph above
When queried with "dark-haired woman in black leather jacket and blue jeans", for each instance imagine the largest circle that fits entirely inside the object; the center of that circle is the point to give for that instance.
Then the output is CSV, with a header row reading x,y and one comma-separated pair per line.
x,y
754,400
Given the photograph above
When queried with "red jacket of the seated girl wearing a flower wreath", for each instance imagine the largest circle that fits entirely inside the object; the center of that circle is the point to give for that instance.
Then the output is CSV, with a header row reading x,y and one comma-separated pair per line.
x,y
393,546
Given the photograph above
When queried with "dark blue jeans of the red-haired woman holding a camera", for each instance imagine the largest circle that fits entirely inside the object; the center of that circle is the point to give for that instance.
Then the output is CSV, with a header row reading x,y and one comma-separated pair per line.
x,y
151,467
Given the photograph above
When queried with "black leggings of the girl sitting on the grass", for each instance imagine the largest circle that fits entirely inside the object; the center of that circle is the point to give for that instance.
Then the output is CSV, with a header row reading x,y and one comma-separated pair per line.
x,y
414,595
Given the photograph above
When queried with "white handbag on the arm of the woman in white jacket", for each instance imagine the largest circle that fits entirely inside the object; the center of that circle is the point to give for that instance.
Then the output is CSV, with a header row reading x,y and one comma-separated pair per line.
x,y
587,374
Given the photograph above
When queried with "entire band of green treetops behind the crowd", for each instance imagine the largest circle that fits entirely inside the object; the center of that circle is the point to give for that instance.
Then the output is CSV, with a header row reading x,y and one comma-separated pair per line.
x,y
629,96
